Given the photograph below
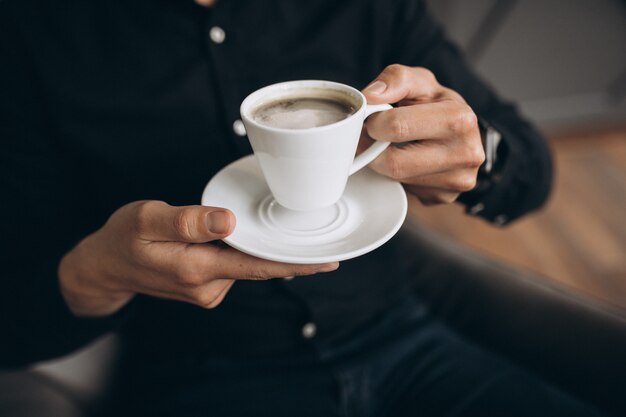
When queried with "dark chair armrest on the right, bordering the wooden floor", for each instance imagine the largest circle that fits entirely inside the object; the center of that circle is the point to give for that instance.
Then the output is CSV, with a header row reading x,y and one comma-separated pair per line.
x,y
573,341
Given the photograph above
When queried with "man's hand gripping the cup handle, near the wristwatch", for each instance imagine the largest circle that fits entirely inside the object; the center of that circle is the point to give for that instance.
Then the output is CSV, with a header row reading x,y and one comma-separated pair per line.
x,y
440,150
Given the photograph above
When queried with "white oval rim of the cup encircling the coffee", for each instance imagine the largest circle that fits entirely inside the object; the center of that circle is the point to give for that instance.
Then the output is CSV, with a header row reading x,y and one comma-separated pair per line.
x,y
253,97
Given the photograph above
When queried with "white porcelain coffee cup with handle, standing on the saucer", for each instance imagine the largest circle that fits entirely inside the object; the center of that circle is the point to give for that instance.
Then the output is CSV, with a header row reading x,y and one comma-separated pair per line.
x,y
308,168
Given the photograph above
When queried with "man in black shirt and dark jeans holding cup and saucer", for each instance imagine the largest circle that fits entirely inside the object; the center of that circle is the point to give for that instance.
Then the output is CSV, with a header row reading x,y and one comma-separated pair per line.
x,y
115,114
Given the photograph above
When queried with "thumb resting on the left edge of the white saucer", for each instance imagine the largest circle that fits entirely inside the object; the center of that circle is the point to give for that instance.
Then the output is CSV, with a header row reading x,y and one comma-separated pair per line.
x,y
158,221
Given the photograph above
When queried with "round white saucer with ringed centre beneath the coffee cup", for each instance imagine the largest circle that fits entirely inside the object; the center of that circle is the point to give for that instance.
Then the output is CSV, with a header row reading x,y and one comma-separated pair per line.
x,y
370,212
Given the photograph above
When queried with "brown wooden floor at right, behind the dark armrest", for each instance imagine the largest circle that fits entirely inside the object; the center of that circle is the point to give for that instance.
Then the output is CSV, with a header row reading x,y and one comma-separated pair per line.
x,y
579,238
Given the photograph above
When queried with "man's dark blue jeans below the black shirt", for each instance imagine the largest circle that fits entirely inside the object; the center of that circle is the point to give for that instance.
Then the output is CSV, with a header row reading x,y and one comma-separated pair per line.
x,y
404,364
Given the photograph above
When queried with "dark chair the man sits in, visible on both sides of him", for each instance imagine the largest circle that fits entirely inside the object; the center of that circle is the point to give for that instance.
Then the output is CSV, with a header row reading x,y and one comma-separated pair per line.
x,y
577,343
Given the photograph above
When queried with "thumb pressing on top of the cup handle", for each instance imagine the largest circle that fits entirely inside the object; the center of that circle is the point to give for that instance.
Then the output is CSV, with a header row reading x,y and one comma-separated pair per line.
x,y
399,82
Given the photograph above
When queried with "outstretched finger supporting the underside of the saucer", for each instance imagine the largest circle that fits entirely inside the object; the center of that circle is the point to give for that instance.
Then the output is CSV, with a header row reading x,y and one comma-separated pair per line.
x,y
233,264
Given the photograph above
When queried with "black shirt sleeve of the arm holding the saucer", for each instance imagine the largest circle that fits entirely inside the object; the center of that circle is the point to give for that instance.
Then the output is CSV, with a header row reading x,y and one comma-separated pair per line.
x,y
39,222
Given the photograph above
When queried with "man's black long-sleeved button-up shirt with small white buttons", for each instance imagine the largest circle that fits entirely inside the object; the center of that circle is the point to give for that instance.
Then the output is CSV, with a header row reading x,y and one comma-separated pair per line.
x,y
107,102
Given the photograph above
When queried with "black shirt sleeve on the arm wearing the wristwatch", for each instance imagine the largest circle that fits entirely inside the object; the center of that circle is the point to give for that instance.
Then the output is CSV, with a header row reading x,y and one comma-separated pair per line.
x,y
522,179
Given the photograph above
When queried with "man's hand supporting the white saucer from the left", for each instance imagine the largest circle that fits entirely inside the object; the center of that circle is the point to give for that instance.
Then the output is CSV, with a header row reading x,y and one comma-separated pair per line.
x,y
150,247
